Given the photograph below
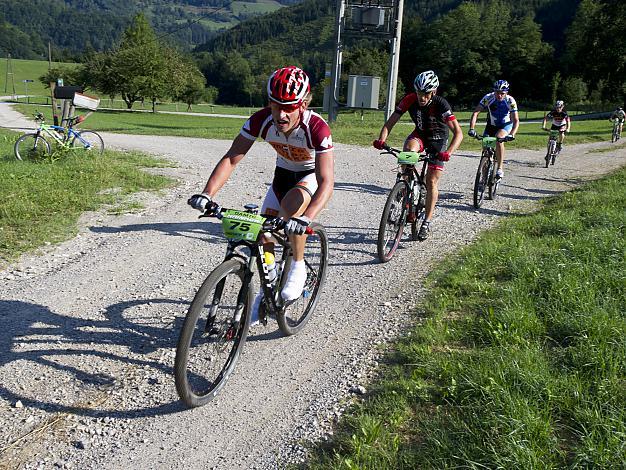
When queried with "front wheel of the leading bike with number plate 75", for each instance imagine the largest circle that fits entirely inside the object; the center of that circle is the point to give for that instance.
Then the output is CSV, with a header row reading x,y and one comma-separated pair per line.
x,y
213,334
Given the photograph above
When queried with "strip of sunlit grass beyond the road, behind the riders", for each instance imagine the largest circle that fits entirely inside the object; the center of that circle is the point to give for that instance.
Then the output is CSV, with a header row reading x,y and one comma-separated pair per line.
x,y
349,128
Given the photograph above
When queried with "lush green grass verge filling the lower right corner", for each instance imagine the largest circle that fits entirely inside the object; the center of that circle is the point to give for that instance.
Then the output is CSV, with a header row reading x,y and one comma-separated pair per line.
x,y
520,361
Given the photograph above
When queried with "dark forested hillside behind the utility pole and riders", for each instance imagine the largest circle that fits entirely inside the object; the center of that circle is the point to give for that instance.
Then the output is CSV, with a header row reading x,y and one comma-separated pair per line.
x,y
545,48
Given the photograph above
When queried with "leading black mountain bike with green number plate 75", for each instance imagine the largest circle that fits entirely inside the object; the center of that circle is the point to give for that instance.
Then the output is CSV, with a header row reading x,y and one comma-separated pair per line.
x,y
217,322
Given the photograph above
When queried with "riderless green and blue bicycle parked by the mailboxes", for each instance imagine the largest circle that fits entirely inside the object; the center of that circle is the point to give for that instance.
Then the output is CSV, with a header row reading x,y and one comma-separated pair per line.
x,y
36,146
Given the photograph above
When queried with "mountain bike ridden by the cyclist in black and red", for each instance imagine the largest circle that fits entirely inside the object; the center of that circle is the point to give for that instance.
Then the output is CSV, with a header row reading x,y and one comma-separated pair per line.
x,y
406,202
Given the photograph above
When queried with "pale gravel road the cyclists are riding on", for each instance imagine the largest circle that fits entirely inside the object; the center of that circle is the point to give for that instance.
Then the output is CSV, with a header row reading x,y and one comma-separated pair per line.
x,y
88,328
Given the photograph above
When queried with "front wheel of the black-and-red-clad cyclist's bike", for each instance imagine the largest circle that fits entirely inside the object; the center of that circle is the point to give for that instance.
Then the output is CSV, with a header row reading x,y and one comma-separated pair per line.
x,y
392,222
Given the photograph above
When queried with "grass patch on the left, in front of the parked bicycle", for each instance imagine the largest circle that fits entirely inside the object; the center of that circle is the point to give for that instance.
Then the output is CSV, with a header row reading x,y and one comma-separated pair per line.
x,y
40,203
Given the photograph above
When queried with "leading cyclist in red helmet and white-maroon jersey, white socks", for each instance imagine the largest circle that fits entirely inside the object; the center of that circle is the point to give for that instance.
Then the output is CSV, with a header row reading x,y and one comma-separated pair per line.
x,y
304,175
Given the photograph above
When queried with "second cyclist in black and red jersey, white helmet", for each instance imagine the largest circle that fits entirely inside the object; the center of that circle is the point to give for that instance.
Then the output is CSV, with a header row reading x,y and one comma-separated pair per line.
x,y
433,120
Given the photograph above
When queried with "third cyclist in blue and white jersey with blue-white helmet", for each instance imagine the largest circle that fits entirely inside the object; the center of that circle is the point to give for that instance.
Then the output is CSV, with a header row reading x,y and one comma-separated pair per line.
x,y
503,119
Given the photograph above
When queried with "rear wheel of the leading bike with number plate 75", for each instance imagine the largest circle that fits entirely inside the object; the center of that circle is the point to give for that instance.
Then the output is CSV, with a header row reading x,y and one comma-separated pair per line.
x,y
296,315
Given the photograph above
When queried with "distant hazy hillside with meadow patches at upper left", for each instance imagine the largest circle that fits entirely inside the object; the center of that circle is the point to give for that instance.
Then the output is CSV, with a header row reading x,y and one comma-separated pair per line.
x,y
74,26
